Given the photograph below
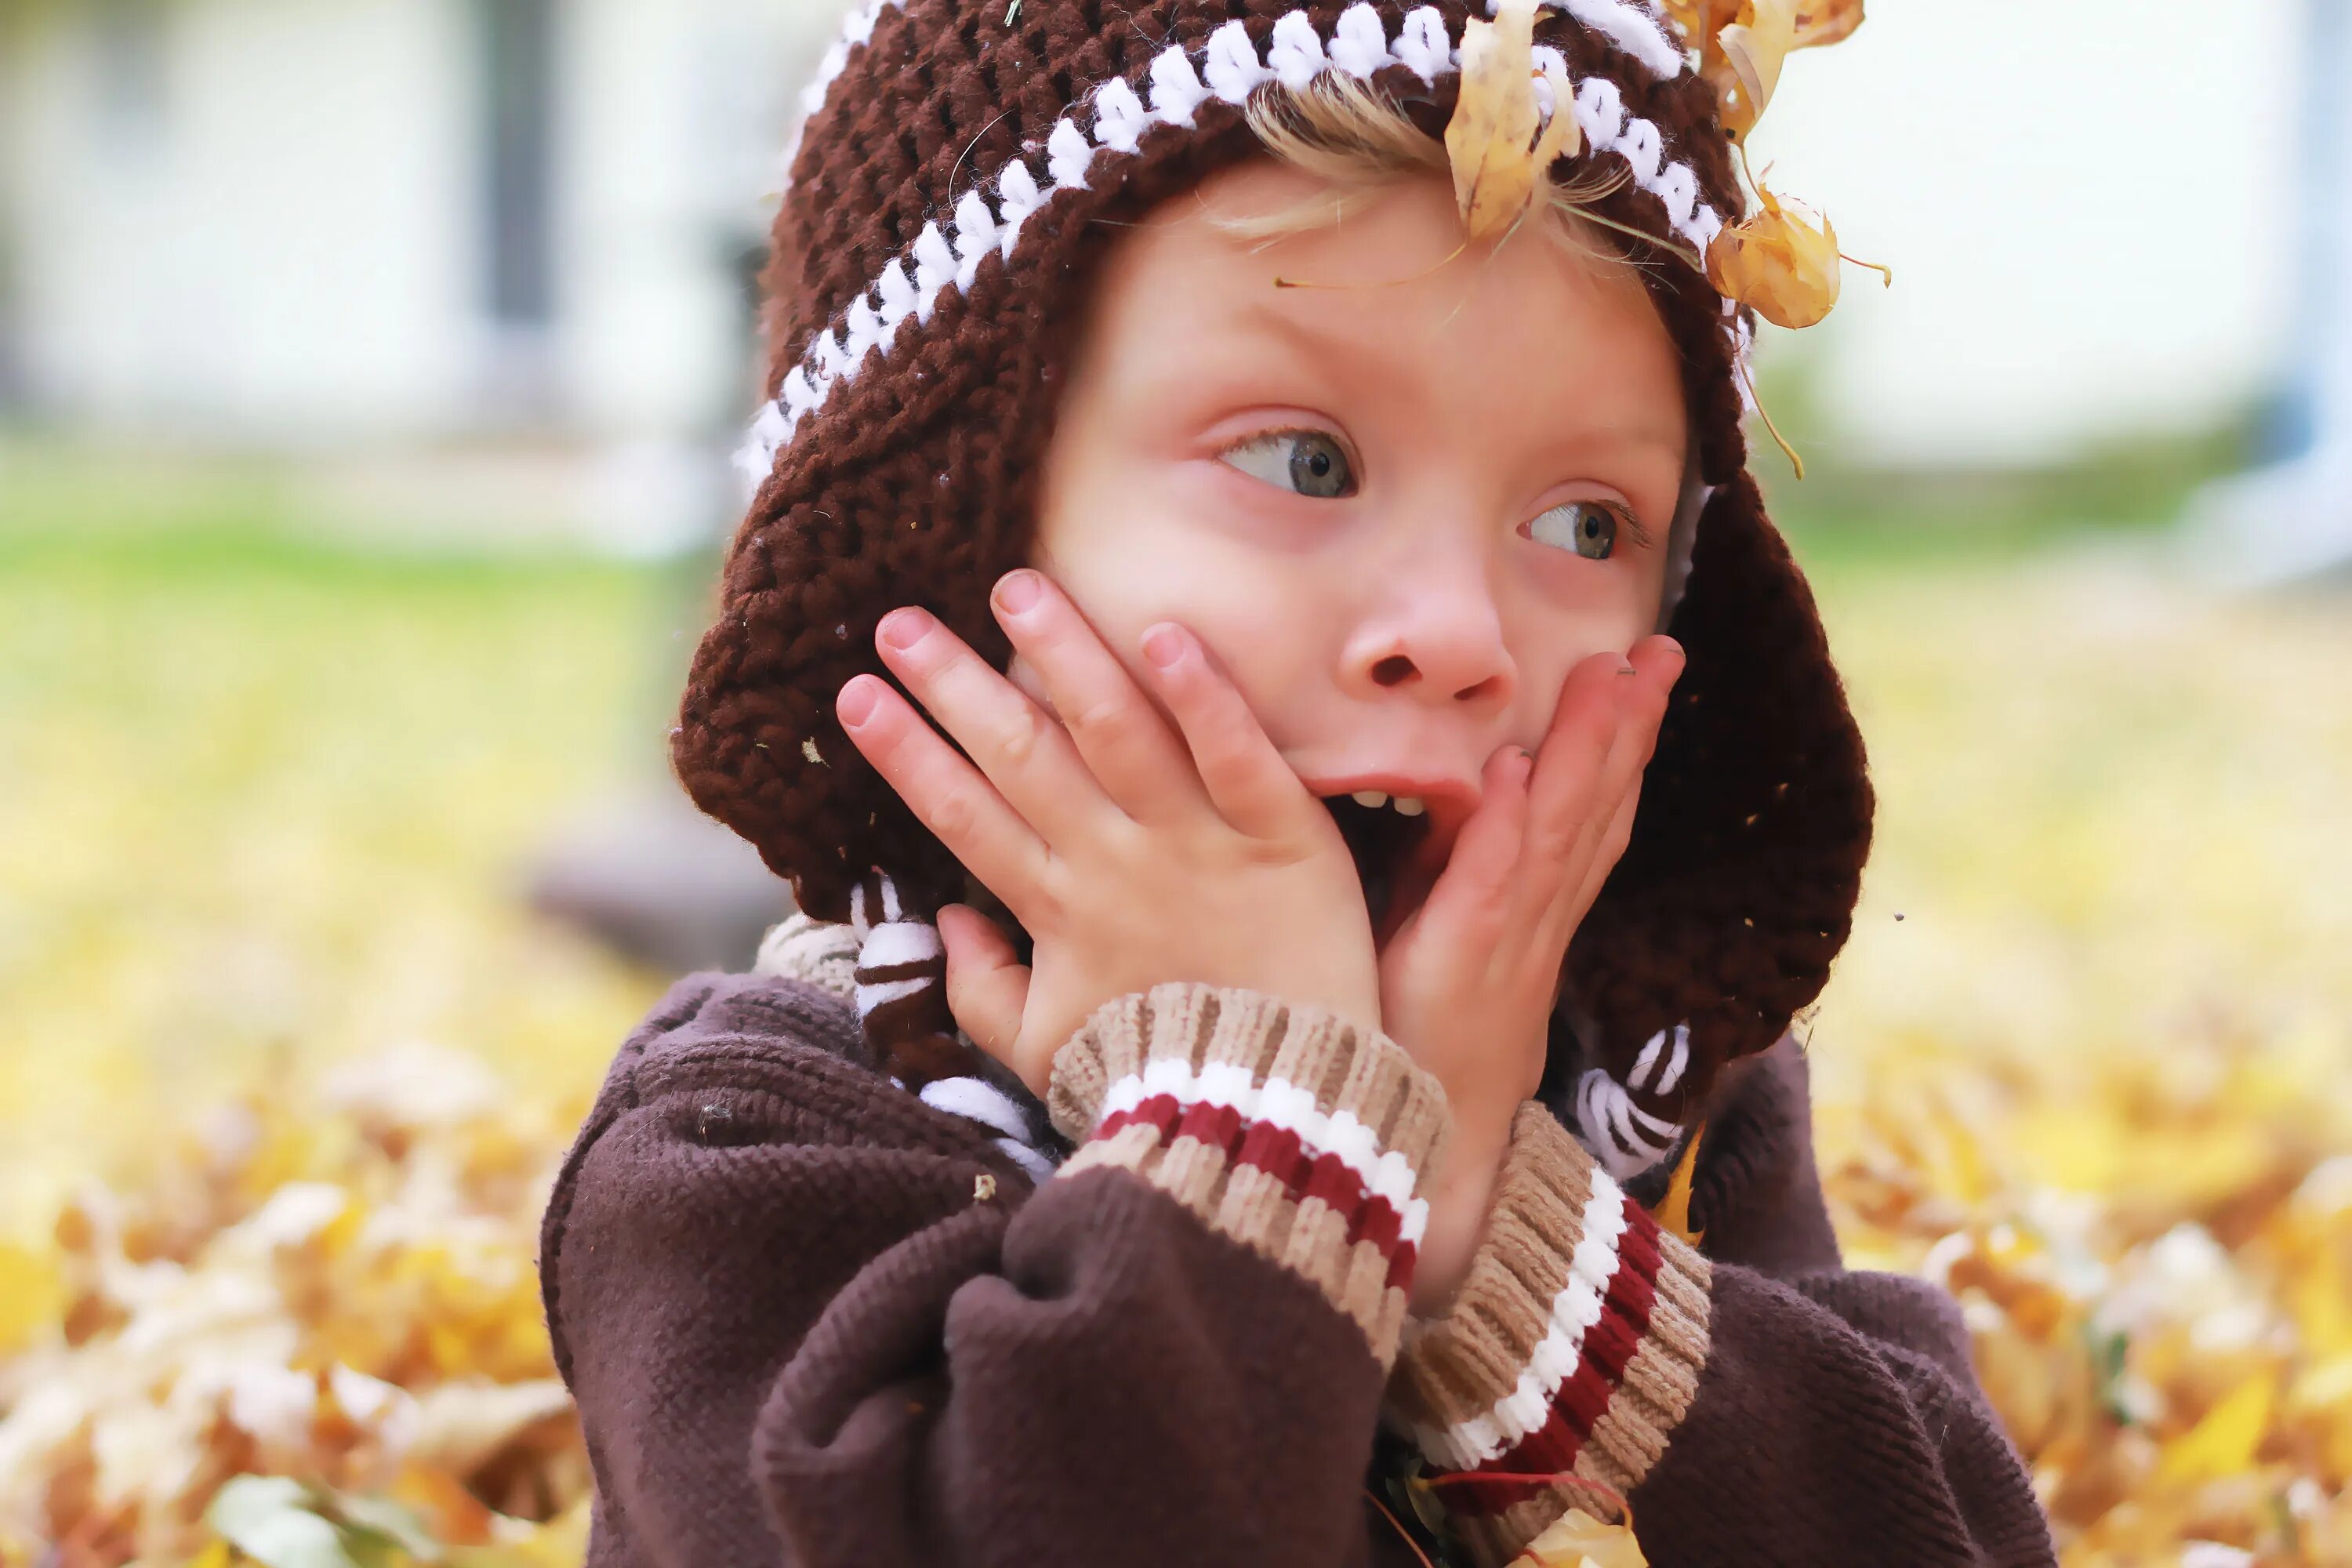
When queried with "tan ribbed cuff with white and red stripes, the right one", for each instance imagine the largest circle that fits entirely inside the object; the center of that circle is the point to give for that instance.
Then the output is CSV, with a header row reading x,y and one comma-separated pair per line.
x,y
1575,1346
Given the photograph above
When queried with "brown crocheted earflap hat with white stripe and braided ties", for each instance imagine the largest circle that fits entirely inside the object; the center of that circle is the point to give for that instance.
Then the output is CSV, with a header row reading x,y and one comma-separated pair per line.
x,y
947,206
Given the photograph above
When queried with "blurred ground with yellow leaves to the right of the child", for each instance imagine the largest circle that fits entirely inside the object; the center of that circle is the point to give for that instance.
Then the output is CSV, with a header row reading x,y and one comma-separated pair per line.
x,y
2087,1057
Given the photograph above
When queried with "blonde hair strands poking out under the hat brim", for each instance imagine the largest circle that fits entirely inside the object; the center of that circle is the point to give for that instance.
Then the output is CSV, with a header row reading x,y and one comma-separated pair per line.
x,y
1358,140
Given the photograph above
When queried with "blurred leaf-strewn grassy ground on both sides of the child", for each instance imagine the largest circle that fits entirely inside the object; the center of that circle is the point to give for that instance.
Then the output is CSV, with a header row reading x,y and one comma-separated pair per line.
x,y
288,1064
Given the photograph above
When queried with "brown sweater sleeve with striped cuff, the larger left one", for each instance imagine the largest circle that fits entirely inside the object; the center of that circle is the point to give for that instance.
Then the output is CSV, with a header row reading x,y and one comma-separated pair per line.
x,y
815,1322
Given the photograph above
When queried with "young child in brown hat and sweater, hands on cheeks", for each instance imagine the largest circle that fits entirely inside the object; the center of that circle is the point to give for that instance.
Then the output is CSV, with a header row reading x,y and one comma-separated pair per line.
x,y
1328,1123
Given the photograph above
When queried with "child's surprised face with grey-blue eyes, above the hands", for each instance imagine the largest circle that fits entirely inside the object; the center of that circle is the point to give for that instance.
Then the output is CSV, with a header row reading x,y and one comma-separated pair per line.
x,y
1398,509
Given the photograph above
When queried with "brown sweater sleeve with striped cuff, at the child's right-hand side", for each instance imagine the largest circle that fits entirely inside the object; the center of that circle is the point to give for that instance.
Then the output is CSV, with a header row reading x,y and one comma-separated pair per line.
x,y
1817,1421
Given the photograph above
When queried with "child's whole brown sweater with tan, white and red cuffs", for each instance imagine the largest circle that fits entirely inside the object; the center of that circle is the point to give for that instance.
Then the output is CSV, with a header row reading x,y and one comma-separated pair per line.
x,y
813,1320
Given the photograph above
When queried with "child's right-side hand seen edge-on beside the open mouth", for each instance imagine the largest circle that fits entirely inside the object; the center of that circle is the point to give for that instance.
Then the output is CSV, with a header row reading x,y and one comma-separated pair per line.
x,y
1469,981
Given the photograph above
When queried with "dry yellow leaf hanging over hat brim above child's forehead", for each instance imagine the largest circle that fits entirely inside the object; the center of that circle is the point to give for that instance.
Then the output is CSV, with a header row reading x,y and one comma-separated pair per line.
x,y
1499,142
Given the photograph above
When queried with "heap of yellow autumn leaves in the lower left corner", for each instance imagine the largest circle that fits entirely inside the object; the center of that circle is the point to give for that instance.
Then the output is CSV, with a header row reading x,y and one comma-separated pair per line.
x,y
333,1292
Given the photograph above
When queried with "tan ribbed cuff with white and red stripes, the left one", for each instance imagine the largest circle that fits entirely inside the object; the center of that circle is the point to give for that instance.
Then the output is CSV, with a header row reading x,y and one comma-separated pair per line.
x,y
1290,1130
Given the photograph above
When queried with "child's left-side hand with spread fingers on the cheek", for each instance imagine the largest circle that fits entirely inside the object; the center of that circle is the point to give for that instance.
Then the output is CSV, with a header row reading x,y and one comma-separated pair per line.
x,y
1132,852
